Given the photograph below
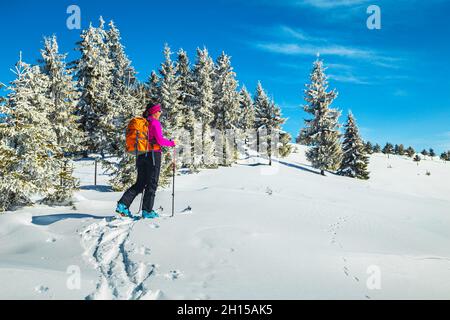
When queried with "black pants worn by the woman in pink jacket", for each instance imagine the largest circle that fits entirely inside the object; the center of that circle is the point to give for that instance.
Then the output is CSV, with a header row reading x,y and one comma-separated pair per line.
x,y
148,177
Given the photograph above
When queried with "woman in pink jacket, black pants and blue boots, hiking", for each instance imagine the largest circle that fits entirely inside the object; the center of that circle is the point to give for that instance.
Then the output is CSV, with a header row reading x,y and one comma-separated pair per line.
x,y
149,166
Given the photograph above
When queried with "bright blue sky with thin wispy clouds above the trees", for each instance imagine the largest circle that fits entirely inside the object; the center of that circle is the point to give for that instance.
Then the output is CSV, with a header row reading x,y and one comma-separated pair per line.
x,y
395,80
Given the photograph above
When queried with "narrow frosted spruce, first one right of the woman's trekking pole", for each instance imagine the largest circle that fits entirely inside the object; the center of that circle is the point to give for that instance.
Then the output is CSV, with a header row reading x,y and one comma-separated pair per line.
x,y
187,105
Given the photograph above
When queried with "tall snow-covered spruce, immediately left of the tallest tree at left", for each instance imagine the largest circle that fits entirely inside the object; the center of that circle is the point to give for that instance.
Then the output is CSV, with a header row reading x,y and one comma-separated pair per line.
x,y
62,96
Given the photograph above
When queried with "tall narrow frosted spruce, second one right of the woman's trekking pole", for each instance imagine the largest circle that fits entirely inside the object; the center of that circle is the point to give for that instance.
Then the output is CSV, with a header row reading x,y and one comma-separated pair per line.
x,y
203,73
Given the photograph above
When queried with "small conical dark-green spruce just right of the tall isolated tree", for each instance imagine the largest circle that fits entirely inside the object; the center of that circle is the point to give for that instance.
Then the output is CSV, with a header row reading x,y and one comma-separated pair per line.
x,y
355,160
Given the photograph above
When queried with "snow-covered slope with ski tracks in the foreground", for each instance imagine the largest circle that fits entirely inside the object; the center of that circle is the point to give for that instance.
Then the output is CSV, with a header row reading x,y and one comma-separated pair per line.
x,y
254,233
